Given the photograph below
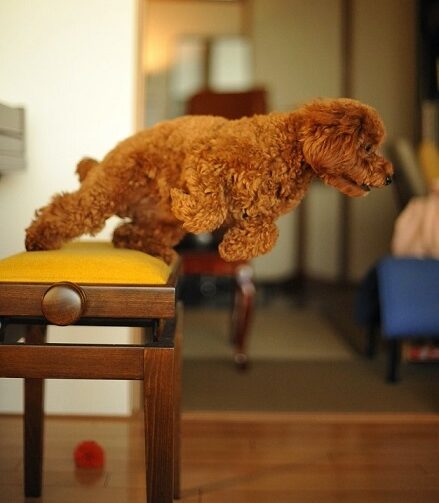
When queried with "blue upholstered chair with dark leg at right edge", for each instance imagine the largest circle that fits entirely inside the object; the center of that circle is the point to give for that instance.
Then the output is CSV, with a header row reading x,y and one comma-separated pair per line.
x,y
408,300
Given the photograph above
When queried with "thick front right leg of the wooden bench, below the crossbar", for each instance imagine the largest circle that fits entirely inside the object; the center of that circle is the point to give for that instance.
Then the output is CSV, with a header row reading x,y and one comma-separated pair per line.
x,y
159,423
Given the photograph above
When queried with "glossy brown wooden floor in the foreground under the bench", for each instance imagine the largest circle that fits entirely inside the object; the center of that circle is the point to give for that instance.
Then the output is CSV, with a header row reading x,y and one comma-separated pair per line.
x,y
237,458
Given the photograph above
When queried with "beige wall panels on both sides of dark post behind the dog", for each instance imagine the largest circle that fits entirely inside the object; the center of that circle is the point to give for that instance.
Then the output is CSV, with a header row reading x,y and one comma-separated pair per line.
x,y
297,46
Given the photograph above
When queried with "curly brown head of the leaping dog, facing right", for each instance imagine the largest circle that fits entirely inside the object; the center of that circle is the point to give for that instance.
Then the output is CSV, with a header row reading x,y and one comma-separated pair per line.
x,y
340,140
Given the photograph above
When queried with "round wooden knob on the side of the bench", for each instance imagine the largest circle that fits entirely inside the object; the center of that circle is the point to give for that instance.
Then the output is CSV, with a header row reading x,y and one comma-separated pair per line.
x,y
63,303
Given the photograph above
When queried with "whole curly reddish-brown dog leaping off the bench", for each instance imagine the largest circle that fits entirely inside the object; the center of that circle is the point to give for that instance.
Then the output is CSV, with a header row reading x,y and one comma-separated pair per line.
x,y
199,173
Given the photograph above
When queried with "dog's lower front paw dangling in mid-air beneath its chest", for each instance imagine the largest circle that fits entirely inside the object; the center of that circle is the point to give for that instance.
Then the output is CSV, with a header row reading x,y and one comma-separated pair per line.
x,y
248,238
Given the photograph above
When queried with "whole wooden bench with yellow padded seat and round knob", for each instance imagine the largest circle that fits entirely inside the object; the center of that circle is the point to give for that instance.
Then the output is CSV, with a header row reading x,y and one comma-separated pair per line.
x,y
91,283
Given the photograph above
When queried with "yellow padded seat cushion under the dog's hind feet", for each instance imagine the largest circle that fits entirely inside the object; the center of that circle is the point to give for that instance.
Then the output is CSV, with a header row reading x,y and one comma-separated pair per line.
x,y
85,262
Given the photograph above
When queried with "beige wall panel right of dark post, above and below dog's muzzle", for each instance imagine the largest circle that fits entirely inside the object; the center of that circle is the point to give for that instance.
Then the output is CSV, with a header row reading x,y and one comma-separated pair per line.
x,y
384,75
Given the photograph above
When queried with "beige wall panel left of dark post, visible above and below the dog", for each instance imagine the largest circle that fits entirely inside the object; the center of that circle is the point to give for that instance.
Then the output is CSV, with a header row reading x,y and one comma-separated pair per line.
x,y
297,54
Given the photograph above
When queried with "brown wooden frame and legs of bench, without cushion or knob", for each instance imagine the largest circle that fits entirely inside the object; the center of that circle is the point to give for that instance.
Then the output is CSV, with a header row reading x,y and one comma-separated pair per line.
x,y
156,362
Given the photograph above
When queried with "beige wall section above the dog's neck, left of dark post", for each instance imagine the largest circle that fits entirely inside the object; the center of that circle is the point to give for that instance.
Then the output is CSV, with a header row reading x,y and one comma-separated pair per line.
x,y
297,49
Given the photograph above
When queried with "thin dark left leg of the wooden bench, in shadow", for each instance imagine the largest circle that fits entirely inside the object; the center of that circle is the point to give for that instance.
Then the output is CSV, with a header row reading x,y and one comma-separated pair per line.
x,y
33,424
